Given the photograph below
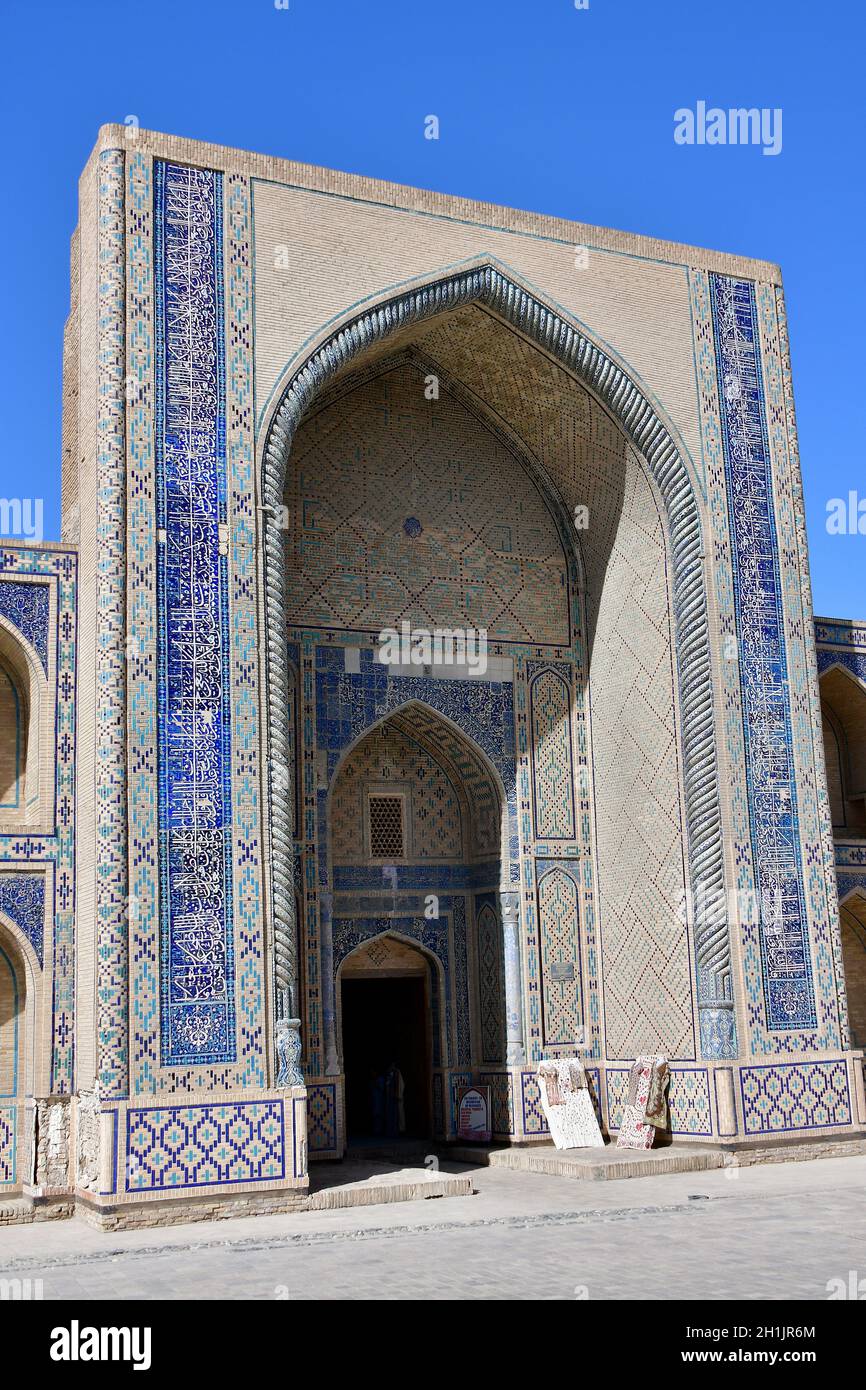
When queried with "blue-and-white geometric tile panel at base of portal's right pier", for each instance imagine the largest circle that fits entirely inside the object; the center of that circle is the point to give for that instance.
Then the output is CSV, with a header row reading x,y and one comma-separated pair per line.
x,y
796,1096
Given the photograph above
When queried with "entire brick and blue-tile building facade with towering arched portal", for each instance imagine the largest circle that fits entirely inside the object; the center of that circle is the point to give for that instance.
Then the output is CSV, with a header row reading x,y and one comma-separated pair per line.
x,y
301,409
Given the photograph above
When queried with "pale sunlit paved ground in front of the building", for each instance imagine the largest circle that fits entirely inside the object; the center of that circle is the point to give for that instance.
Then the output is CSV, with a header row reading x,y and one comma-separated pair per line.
x,y
769,1232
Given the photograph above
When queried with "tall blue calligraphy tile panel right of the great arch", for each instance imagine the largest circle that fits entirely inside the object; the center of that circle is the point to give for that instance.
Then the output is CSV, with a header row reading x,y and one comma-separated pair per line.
x,y
789,993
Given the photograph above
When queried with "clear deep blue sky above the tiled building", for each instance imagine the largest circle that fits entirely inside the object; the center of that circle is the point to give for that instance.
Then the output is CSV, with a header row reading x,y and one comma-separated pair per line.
x,y
541,106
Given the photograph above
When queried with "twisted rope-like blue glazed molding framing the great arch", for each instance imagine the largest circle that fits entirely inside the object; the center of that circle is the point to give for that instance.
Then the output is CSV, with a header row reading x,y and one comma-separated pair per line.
x,y
646,430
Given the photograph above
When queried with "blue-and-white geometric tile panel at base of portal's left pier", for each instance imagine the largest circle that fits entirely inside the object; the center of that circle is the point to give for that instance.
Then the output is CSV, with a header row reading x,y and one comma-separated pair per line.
x,y
202,1146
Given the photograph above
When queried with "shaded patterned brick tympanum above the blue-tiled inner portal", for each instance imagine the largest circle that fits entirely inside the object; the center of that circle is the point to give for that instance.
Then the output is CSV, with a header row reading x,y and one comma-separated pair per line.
x,y
389,454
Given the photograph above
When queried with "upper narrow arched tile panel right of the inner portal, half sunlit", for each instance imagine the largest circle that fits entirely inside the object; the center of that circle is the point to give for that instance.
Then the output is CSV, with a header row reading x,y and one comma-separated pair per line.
x,y
551,703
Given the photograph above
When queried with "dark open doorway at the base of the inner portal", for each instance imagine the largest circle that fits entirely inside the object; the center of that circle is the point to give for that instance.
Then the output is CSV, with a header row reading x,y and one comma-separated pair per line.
x,y
387,1022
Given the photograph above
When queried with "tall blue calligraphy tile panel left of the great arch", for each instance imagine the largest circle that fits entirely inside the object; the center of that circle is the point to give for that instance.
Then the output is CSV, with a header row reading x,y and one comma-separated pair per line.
x,y
198,989
